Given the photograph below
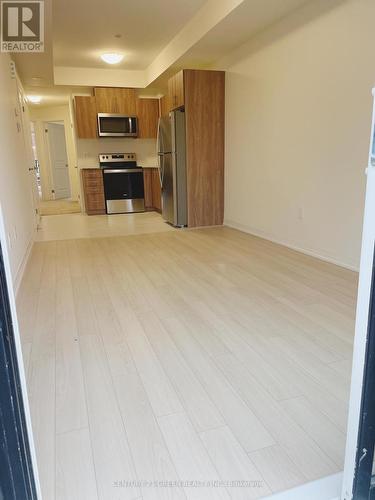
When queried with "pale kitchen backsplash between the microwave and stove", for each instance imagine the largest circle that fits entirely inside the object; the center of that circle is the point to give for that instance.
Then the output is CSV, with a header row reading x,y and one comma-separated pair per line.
x,y
88,150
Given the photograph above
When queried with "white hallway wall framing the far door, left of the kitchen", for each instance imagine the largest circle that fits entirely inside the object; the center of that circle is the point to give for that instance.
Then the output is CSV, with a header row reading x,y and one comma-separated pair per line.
x,y
40,115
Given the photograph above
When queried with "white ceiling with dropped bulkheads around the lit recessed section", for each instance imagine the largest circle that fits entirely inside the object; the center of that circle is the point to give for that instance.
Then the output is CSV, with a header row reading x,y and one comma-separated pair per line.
x,y
157,37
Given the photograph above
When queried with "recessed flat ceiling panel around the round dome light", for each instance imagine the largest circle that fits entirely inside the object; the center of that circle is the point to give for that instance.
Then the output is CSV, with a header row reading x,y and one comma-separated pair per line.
x,y
84,29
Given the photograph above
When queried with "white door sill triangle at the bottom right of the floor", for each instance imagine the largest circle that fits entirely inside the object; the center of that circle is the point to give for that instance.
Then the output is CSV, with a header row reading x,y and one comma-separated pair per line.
x,y
328,488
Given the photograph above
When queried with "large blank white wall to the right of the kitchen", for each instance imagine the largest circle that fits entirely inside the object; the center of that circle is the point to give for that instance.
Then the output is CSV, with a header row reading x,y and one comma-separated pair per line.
x,y
298,117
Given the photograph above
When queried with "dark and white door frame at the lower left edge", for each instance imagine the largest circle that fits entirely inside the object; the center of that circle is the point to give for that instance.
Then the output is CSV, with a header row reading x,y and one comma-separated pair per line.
x,y
15,416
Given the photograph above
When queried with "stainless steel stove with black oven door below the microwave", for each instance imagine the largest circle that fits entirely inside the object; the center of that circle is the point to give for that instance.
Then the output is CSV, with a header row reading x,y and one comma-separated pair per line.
x,y
123,183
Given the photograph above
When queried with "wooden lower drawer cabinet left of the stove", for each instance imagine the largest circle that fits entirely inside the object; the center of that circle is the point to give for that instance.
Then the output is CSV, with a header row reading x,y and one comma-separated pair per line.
x,y
93,189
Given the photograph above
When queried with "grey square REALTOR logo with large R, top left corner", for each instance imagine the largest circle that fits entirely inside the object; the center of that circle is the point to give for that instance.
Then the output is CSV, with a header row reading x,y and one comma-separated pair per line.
x,y
22,26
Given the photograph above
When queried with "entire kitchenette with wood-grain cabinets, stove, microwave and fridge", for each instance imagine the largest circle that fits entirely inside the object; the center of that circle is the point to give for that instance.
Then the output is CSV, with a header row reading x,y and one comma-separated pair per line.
x,y
166,167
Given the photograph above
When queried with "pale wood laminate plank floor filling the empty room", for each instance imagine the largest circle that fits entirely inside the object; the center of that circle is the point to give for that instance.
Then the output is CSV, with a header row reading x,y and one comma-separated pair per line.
x,y
184,356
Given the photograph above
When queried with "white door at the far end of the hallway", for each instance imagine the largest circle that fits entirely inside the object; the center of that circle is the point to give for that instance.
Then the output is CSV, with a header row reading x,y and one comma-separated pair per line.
x,y
59,160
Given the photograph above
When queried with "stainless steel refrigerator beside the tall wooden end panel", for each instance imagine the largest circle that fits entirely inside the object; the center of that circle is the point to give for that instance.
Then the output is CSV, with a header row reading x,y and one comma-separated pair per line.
x,y
171,146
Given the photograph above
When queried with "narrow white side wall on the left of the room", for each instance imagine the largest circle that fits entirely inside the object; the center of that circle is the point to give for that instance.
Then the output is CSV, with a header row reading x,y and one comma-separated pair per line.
x,y
15,188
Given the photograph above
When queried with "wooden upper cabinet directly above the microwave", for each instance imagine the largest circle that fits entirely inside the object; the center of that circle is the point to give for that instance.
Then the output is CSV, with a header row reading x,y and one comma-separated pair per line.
x,y
115,100
